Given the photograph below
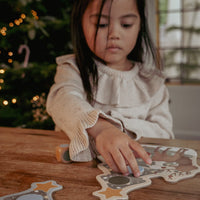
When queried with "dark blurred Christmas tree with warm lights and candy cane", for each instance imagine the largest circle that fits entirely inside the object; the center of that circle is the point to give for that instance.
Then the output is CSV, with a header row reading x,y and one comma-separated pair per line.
x,y
32,34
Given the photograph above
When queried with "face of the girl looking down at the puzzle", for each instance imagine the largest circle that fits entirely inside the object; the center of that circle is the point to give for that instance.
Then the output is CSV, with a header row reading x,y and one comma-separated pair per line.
x,y
117,32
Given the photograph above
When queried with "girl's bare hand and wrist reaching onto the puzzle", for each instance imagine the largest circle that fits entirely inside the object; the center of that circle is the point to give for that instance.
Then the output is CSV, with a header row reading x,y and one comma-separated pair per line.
x,y
117,148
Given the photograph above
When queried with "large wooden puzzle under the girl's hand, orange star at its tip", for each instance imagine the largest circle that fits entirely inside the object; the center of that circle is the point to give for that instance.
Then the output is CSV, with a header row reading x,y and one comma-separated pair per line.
x,y
171,163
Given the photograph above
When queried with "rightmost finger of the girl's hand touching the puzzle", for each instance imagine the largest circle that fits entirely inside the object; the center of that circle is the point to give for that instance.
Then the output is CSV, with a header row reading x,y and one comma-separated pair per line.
x,y
136,147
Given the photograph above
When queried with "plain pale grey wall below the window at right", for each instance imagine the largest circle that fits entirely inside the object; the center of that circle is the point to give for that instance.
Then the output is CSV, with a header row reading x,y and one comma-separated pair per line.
x,y
185,109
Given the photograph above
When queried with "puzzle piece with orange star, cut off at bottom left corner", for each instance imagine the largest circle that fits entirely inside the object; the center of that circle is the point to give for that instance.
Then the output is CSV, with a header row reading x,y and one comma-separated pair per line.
x,y
38,191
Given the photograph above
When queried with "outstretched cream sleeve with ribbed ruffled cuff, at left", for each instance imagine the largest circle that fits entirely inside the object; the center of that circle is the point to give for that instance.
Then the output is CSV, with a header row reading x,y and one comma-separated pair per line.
x,y
70,111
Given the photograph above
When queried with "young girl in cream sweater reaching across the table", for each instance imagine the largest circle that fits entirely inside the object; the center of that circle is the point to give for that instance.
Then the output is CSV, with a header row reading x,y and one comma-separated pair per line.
x,y
105,97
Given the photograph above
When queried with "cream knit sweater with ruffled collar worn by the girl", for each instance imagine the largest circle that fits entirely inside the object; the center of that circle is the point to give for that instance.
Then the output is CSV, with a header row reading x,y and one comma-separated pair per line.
x,y
134,103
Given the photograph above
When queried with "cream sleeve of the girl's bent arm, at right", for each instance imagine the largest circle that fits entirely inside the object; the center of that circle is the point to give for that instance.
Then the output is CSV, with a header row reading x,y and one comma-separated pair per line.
x,y
158,122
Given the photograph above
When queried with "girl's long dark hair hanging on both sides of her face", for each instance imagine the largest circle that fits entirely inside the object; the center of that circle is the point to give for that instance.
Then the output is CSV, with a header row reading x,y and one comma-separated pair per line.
x,y
85,57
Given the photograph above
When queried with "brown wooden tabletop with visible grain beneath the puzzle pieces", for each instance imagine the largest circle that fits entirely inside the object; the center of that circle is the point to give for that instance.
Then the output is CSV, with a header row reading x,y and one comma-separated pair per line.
x,y
28,156
